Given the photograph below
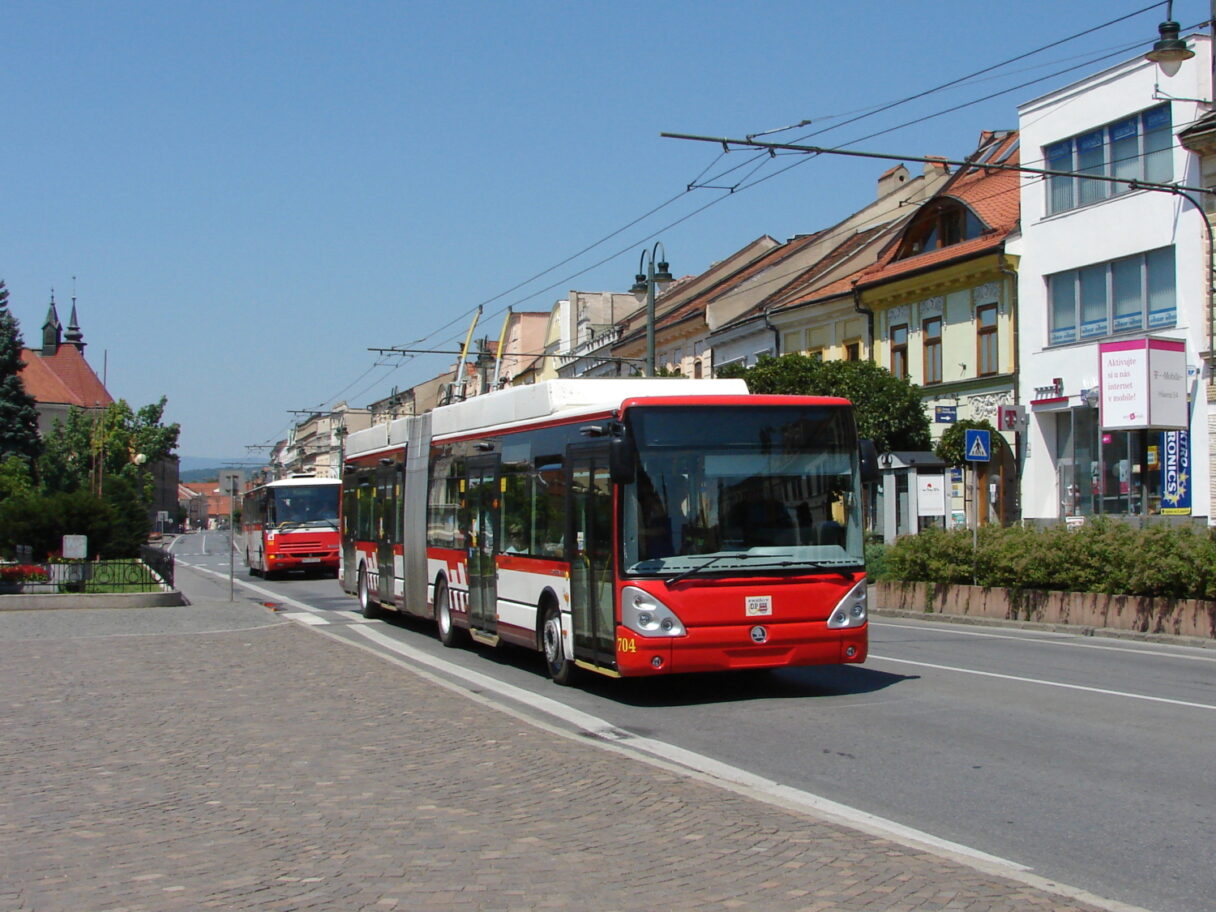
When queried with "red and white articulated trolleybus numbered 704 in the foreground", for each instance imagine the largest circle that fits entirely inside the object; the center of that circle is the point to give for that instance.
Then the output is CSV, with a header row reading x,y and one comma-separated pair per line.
x,y
627,527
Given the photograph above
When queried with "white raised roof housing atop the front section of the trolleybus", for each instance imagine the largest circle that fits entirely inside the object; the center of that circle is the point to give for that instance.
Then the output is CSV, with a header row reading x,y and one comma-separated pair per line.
x,y
566,398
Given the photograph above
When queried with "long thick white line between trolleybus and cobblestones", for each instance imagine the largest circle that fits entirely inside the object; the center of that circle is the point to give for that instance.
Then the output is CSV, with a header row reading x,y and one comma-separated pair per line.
x,y
601,729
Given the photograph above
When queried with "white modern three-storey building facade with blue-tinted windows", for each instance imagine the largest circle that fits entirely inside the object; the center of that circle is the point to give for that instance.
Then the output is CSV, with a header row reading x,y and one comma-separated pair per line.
x,y
1111,274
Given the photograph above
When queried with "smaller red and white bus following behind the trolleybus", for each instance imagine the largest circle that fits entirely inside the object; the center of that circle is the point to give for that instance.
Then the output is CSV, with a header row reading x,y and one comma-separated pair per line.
x,y
292,525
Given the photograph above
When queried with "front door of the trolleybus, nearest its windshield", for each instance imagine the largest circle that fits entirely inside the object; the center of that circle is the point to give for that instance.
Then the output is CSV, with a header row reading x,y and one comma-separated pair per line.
x,y
589,545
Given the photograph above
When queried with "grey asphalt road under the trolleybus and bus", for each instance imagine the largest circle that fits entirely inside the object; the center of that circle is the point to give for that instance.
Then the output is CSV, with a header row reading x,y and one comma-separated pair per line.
x,y
1088,761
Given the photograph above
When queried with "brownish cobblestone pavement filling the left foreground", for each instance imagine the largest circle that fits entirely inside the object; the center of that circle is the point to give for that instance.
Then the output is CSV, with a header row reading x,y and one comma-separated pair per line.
x,y
243,763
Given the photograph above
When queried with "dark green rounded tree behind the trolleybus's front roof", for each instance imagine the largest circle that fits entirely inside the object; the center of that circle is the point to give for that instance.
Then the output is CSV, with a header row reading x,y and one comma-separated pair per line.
x,y
890,410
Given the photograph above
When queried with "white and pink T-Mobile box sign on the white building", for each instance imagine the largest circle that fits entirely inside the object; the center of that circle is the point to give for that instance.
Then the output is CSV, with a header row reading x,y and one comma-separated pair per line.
x,y
1144,385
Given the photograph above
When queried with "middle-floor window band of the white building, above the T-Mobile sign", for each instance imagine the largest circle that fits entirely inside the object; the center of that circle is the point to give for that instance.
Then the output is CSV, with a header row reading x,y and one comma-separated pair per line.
x,y
1129,295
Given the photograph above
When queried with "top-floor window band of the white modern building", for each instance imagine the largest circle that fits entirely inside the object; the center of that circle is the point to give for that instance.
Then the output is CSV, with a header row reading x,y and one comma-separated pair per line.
x,y
1134,149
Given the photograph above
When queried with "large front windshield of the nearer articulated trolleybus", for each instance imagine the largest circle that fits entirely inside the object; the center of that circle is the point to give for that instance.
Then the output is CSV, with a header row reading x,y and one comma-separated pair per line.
x,y
739,488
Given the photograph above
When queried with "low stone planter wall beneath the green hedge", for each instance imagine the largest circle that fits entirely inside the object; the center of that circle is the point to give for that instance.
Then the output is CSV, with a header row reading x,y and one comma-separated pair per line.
x,y
1178,617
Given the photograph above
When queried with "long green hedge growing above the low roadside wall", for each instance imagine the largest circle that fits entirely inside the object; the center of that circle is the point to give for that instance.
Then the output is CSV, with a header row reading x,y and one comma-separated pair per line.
x,y
1101,556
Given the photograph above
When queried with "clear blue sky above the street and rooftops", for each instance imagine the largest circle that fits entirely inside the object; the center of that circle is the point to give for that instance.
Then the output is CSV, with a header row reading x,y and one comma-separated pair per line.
x,y
246,198
